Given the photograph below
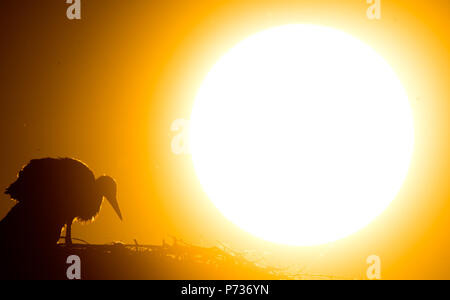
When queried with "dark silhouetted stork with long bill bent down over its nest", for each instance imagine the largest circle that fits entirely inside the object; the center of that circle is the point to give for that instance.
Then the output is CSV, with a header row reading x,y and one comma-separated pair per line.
x,y
51,193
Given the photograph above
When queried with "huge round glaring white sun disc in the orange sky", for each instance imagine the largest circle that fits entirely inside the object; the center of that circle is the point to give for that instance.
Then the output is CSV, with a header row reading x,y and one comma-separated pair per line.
x,y
301,135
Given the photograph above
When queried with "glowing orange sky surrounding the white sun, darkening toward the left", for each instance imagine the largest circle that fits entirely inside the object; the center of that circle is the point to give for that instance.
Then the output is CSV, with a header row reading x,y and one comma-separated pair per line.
x,y
106,89
